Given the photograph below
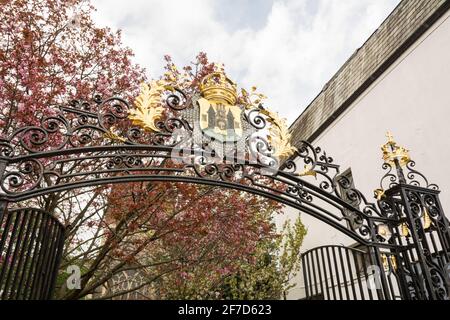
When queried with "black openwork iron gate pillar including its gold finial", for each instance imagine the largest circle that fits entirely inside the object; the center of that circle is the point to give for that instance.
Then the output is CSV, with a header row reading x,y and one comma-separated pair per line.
x,y
420,228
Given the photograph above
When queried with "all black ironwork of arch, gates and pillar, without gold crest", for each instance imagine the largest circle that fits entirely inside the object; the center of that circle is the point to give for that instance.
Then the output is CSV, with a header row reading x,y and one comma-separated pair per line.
x,y
94,143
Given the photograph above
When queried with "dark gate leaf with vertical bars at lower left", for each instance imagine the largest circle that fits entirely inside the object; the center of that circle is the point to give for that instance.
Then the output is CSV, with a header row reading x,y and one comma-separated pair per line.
x,y
31,242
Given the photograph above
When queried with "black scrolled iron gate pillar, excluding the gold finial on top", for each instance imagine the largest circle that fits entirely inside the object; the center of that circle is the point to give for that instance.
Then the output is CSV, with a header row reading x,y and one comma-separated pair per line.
x,y
422,234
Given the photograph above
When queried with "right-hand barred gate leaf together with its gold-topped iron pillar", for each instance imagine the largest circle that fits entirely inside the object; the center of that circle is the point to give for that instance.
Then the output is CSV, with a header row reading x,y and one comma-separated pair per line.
x,y
416,268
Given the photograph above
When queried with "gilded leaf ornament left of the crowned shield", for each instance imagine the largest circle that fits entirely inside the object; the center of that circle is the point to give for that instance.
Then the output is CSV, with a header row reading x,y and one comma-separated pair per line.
x,y
148,106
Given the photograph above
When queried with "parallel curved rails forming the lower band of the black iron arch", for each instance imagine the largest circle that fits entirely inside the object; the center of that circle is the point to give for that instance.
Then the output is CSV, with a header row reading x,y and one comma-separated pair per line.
x,y
293,191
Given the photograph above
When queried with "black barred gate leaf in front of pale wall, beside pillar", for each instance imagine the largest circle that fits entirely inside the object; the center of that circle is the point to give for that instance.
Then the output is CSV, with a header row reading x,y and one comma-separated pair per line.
x,y
346,274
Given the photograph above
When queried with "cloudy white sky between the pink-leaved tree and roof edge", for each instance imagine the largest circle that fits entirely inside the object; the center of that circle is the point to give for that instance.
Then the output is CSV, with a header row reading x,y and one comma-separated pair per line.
x,y
289,49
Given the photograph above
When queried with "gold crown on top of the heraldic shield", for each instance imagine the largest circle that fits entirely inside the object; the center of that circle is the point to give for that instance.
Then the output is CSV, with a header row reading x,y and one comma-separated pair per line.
x,y
217,87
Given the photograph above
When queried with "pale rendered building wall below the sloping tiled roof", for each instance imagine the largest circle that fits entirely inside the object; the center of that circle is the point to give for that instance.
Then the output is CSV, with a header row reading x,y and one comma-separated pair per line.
x,y
412,100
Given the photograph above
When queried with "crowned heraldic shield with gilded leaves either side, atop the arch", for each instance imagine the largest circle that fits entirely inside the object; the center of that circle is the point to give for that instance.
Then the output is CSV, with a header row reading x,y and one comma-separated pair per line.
x,y
220,118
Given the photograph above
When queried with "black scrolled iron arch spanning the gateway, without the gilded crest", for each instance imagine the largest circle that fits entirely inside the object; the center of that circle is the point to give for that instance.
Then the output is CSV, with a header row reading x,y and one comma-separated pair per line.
x,y
87,144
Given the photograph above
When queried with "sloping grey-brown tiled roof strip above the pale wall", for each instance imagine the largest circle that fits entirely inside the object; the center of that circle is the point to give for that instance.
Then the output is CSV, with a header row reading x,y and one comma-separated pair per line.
x,y
365,65
